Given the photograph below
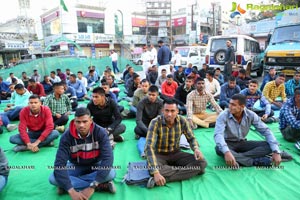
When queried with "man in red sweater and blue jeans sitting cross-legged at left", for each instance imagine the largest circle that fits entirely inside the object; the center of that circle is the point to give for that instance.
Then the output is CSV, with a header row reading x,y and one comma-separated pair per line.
x,y
36,127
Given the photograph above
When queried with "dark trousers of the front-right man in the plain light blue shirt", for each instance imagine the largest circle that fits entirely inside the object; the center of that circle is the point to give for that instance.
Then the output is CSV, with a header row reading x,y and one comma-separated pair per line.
x,y
245,151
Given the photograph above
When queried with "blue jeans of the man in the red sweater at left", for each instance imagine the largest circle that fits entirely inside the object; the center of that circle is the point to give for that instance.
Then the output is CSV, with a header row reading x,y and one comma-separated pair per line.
x,y
16,139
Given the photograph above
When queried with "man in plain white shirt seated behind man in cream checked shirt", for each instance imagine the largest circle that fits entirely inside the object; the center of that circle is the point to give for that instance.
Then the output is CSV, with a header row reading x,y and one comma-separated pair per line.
x,y
212,85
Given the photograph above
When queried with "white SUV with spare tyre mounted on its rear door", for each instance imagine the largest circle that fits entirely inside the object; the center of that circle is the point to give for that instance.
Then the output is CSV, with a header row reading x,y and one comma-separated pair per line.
x,y
246,49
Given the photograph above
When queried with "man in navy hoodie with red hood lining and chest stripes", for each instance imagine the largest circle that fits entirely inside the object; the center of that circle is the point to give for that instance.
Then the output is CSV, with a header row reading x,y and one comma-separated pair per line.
x,y
84,159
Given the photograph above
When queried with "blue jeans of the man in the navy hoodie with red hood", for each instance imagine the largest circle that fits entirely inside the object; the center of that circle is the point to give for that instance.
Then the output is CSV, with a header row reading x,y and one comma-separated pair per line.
x,y
79,177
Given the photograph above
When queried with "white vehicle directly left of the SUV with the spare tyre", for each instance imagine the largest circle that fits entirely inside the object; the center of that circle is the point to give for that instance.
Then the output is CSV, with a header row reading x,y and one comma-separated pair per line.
x,y
192,54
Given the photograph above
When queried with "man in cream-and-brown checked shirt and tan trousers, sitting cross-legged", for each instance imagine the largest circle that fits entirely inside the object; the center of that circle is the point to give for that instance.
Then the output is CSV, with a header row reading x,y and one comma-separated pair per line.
x,y
196,106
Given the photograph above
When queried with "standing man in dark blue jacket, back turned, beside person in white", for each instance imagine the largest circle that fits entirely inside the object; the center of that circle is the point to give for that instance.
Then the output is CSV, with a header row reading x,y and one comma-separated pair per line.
x,y
164,56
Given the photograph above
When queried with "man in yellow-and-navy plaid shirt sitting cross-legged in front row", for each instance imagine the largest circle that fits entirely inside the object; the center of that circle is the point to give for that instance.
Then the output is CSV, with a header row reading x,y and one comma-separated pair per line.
x,y
165,160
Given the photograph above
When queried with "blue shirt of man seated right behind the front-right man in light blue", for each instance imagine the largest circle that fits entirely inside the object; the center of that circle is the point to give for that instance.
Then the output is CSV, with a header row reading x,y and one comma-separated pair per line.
x,y
252,98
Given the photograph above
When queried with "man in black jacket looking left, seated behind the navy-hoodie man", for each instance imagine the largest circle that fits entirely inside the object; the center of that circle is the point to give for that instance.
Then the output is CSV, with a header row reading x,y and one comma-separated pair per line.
x,y
106,114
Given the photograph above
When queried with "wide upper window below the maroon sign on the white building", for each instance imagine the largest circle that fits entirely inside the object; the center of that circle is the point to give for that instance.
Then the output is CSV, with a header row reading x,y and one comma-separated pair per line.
x,y
90,25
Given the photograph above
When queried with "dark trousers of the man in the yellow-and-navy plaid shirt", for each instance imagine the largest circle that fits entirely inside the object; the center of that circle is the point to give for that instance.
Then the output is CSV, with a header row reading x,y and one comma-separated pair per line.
x,y
169,166
